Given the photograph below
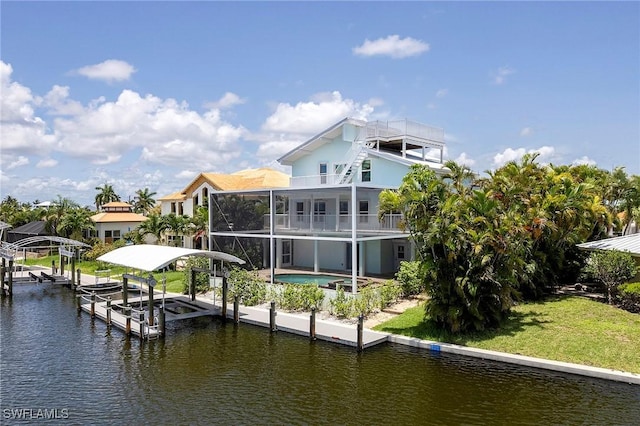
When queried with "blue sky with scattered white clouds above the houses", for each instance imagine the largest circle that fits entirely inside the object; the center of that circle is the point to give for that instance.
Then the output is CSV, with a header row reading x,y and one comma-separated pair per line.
x,y
149,94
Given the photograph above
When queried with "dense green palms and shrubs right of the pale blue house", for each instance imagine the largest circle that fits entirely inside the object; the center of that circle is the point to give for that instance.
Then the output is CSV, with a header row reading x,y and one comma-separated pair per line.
x,y
485,243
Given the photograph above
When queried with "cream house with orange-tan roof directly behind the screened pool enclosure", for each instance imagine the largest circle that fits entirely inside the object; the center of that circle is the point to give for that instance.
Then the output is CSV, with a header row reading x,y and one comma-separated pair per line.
x,y
196,194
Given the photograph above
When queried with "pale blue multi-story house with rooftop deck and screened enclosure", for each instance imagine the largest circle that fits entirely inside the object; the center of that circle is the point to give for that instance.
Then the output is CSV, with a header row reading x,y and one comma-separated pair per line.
x,y
328,218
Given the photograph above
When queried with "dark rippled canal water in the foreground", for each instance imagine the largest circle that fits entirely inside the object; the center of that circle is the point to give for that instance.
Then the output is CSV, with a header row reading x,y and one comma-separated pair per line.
x,y
57,363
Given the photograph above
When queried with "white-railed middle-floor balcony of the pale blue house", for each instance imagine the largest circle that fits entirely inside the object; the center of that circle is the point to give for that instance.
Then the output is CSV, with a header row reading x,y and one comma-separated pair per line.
x,y
334,223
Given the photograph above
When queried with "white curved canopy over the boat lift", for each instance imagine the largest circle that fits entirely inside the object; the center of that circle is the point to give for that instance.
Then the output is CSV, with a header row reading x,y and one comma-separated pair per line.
x,y
148,257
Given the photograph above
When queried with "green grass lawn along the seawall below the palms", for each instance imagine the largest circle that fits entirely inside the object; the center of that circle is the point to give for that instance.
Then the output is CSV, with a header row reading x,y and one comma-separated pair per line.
x,y
569,329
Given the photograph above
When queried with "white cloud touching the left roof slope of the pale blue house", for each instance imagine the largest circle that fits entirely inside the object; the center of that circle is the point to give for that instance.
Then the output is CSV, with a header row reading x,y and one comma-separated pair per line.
x,y
289,125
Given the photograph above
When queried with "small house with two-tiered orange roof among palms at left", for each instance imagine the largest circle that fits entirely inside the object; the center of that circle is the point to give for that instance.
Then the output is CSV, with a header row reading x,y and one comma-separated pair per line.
x,y
115,220
